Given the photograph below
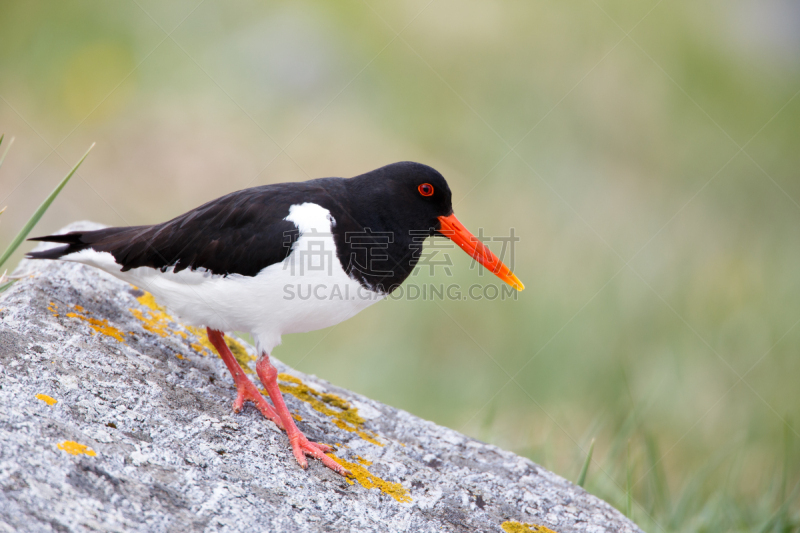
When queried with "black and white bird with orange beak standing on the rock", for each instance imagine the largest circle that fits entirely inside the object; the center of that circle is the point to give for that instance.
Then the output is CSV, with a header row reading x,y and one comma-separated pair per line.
x,y
250,261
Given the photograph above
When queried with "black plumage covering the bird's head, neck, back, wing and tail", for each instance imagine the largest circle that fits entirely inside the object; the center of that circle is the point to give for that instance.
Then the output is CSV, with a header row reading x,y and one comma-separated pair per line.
x,y
380,222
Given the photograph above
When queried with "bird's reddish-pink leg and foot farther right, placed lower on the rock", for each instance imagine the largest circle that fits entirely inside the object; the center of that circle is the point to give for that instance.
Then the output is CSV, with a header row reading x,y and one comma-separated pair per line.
x,y
301,446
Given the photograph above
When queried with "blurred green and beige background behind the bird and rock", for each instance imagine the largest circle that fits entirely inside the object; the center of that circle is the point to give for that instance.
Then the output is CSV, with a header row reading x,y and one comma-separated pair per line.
x,y
646,153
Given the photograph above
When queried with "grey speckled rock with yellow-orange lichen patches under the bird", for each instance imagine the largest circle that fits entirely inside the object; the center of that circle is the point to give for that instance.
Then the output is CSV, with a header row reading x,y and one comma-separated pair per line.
x,y
116,417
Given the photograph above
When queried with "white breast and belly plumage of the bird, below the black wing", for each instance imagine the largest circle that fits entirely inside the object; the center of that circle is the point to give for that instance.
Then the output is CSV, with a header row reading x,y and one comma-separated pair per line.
x,y
309,290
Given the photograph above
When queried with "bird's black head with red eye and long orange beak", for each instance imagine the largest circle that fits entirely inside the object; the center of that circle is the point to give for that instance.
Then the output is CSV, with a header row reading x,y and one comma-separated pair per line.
x,y
415,196
